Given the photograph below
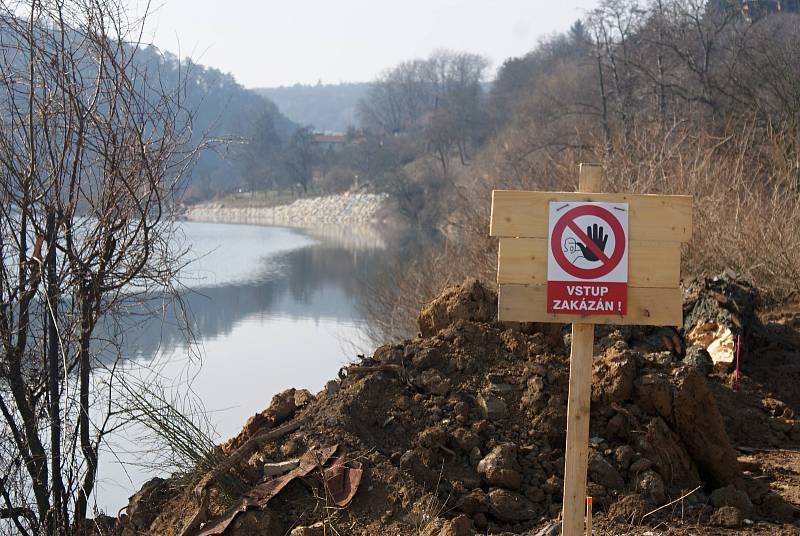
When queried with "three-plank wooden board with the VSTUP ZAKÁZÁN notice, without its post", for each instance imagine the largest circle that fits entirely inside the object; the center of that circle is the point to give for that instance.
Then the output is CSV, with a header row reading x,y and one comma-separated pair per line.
x,y
644,281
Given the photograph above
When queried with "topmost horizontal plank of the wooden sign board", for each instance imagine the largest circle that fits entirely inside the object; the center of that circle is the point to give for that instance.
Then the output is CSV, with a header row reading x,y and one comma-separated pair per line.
x,y
652,217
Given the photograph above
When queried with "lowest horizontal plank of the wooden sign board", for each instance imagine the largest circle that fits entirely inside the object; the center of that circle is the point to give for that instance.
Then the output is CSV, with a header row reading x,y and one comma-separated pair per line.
x,y
646,306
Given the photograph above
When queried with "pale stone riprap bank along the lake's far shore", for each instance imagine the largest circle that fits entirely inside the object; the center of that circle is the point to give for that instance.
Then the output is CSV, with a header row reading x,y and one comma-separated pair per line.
x,y
346,208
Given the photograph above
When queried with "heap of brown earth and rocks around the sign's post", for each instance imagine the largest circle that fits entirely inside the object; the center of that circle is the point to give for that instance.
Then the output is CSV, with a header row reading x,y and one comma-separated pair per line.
x,y
463,430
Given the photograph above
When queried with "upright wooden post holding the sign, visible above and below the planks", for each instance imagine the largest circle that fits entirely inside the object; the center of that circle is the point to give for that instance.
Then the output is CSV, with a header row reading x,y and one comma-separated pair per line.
x,y
576,458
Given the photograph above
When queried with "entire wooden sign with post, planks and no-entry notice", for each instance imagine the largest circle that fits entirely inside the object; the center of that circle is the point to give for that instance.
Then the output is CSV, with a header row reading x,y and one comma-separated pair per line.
x,y
588,258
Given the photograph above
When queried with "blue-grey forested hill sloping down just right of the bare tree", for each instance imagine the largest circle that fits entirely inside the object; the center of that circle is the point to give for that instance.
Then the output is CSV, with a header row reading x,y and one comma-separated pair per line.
x,y
244,127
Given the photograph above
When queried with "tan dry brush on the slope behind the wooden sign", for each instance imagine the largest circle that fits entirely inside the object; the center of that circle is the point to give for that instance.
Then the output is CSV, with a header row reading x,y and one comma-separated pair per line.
x,y
744,183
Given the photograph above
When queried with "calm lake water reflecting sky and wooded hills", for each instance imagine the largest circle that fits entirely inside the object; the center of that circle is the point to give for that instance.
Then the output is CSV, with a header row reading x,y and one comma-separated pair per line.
x,y
271,308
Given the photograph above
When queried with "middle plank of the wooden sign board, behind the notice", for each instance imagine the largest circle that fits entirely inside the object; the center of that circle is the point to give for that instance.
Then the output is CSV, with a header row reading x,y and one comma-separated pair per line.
x,y
650,264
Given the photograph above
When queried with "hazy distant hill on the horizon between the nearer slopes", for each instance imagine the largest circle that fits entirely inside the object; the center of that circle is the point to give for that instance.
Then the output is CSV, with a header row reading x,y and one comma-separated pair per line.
x,y
327,107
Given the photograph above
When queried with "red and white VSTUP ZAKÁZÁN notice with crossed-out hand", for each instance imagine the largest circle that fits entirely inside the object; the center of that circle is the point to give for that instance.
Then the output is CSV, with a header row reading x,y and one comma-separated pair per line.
x,y
587,260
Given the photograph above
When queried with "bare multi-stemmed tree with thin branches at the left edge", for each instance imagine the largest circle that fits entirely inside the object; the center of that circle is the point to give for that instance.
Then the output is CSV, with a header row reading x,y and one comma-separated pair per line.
x,y
91,153
